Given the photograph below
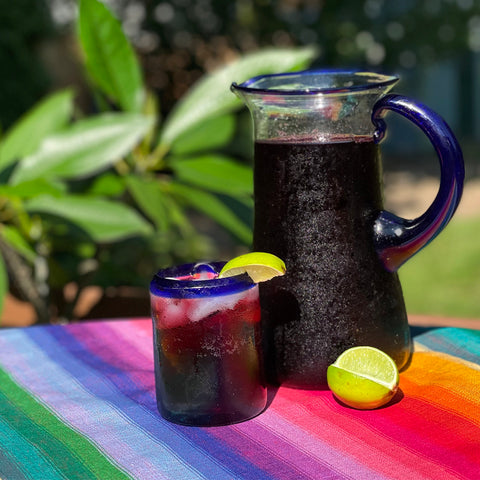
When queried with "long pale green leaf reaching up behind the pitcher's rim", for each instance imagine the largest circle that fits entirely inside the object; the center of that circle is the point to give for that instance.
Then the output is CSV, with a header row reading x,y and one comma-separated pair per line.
x,y
211,95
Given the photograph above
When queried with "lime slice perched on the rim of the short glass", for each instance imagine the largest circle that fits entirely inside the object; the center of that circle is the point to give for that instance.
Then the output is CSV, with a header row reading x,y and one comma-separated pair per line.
x,y
260,266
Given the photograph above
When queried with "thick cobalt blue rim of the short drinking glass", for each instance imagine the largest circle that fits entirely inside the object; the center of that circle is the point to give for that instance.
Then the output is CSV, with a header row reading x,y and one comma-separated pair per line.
x,y
165,284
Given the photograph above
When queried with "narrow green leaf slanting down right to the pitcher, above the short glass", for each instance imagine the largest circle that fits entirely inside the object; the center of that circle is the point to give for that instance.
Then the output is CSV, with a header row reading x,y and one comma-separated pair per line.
x,y
214,208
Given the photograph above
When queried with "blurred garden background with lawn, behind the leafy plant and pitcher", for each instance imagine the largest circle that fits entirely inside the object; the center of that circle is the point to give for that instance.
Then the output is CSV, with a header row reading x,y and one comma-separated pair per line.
x,y
433,45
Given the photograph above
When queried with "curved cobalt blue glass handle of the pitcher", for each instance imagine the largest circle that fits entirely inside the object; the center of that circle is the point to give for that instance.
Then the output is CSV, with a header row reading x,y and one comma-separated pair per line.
x,y
398,239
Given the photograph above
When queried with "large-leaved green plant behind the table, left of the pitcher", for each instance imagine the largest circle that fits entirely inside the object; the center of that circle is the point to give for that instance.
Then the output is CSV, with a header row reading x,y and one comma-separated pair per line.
x,y
105,199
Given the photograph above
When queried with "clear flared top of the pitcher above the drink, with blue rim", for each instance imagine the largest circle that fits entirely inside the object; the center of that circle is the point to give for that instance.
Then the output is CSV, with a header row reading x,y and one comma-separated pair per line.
x,y
313,105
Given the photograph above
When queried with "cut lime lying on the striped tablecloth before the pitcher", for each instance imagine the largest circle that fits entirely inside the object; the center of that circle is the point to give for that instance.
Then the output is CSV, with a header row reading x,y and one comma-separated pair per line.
x,y
363,378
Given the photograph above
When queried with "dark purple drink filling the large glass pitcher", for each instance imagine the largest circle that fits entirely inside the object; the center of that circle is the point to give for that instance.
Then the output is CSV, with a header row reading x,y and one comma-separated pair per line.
x,y
335,297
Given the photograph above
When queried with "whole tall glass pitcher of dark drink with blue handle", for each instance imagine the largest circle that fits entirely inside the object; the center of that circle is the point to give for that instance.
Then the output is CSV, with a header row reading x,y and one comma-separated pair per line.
x,y
318,206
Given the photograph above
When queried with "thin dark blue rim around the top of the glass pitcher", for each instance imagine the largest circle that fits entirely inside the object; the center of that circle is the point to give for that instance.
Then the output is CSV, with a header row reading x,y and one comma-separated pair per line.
x,y
383,82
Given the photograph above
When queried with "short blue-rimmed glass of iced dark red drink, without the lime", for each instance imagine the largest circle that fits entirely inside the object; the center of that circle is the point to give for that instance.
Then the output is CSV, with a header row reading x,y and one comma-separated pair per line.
x,y
208,368
